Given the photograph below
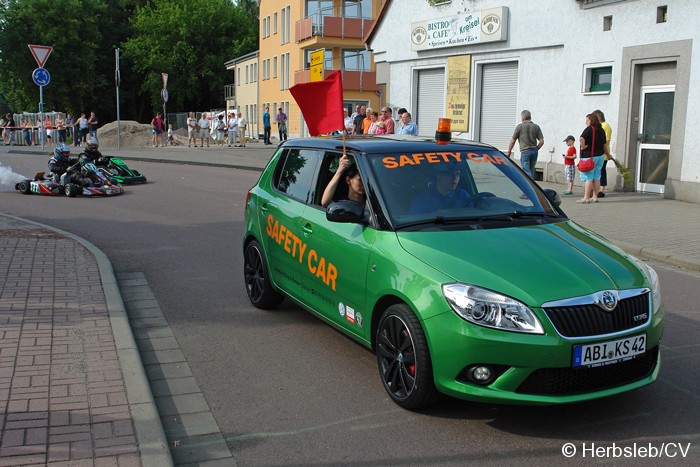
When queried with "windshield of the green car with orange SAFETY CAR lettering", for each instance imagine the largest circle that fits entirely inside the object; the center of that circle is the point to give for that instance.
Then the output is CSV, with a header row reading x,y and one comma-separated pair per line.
x,y
479,185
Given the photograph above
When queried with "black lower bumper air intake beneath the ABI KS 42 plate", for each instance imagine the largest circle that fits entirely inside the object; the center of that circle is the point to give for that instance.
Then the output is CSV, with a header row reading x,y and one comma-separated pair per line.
x,y
570,381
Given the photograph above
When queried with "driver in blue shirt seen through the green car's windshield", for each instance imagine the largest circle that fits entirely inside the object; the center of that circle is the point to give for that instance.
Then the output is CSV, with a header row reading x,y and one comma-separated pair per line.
x,y
444,193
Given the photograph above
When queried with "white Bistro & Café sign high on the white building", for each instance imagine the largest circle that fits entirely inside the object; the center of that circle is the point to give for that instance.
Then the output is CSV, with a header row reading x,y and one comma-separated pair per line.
x,y
471,28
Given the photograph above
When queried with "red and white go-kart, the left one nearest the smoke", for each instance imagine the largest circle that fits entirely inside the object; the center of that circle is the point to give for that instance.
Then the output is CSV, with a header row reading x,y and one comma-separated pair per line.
x,y
95,183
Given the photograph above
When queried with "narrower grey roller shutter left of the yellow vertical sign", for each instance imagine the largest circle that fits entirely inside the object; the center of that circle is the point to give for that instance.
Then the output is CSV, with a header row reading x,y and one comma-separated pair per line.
x,y
431,100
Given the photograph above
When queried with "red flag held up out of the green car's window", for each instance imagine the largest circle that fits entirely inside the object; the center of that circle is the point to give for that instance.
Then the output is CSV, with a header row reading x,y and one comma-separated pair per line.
x,y
321,103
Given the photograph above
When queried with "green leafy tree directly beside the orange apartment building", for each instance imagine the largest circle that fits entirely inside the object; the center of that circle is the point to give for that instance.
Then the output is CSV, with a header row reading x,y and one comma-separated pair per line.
x,y
190,41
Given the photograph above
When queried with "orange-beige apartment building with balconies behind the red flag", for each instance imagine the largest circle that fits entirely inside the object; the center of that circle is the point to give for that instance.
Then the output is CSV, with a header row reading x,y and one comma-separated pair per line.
x,y
290,31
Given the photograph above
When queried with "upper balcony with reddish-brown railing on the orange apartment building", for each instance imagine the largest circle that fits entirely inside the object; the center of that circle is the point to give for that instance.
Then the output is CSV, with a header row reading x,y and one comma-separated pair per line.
x,y
337,27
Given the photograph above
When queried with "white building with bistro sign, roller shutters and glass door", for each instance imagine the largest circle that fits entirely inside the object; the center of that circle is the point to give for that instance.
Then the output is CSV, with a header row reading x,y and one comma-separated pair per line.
x,y
482,62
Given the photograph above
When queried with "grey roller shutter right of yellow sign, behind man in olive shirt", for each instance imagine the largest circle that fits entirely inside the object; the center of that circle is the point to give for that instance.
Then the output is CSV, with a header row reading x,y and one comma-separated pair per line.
x,y
499,95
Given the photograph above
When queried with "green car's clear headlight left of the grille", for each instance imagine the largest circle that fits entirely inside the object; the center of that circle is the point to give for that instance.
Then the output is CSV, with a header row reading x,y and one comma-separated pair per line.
x,y
491,309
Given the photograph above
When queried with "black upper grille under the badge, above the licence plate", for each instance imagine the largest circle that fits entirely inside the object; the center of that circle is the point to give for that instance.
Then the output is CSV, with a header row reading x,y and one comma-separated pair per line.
x,y
591,320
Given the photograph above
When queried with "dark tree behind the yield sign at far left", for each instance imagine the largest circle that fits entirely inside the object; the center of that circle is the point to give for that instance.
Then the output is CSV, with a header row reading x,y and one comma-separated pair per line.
x,y
75,40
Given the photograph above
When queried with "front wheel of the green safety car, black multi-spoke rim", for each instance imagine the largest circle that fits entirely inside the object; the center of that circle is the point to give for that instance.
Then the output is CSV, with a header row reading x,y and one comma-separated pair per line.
x,y
404,359
